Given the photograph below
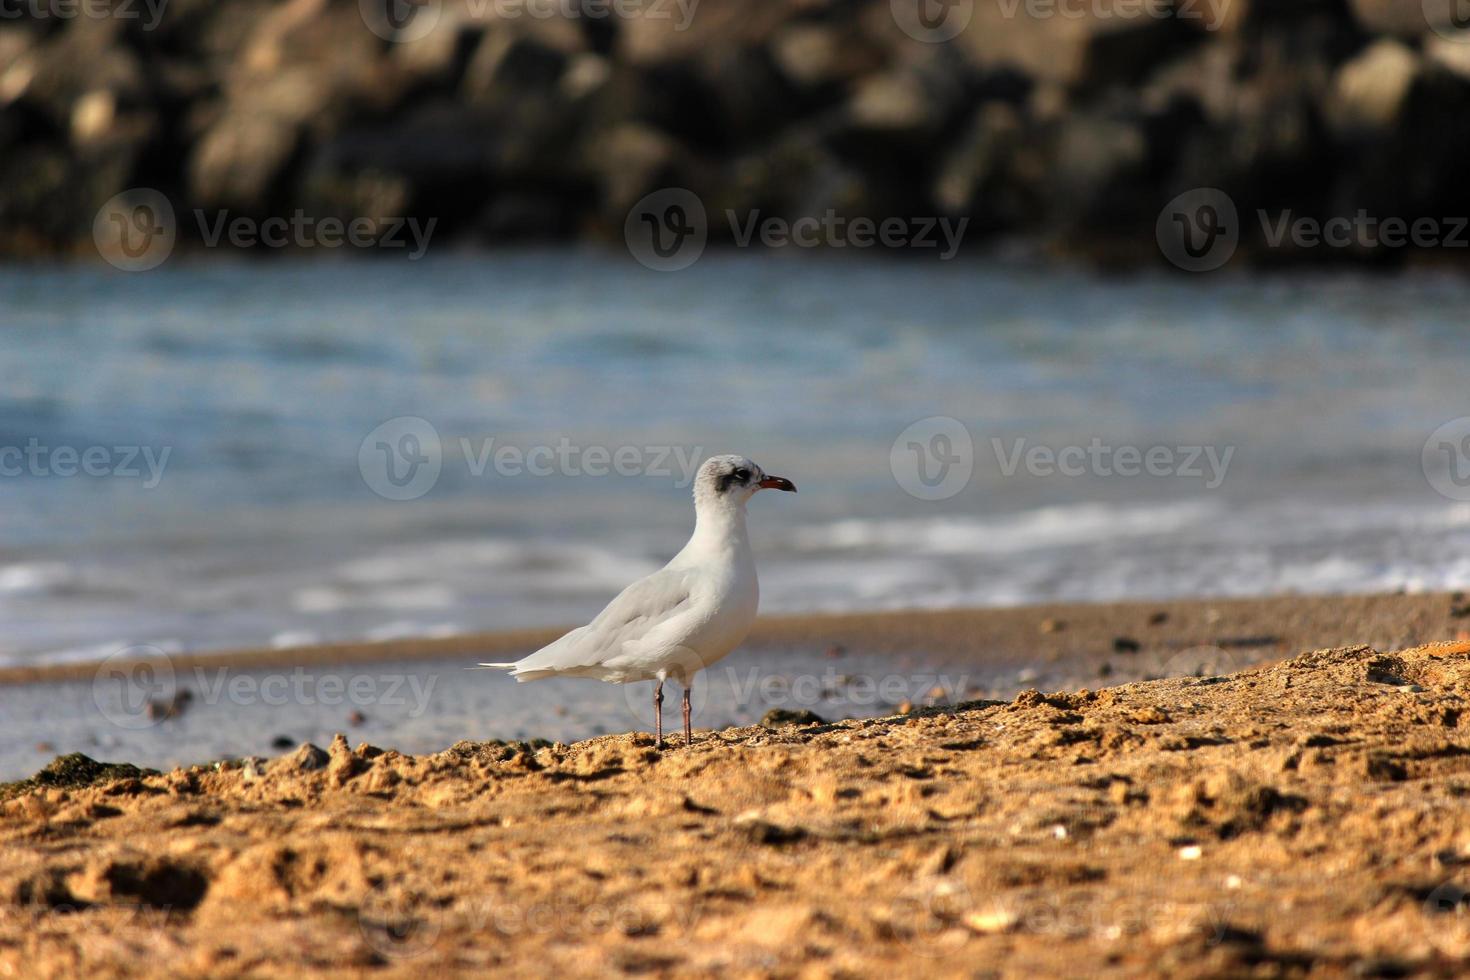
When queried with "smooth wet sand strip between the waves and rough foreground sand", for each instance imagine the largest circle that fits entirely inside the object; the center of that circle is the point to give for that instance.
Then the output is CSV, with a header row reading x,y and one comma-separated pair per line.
x,y
417,696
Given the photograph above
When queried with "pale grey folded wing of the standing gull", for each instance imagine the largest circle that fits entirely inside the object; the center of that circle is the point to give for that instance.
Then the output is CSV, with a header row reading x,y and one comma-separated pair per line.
x,y
642,616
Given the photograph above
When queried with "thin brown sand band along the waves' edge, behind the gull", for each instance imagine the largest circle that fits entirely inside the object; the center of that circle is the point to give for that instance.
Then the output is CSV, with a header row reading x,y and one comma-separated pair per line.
x,y
1044,633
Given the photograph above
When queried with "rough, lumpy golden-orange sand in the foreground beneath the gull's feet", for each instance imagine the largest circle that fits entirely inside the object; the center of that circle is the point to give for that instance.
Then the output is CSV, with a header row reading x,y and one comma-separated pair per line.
x,y
1306,818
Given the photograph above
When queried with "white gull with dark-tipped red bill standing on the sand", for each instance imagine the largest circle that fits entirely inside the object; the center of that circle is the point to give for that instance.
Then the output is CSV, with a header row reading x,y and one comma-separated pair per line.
x,y
681,619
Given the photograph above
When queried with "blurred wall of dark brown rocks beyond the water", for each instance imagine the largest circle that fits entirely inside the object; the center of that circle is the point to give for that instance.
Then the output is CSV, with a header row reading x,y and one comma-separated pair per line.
x,y
1065,126
